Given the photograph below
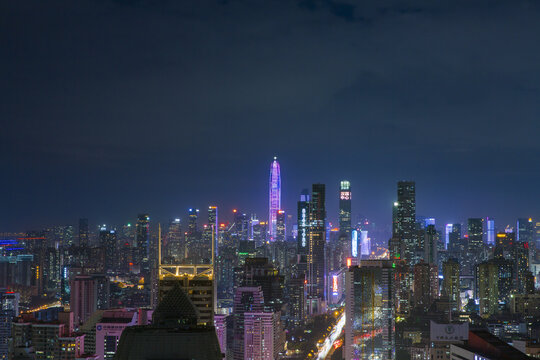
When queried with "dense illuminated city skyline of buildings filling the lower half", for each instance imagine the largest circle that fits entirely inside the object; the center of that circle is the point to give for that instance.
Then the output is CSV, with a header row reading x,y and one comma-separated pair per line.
x,y
246,285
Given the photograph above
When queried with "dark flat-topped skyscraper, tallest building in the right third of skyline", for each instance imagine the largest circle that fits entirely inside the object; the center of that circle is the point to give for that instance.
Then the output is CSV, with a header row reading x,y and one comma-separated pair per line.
x,y
406,219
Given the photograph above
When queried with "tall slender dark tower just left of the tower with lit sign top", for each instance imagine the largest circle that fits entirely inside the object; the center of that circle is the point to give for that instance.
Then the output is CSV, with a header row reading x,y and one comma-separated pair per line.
x,y
316,253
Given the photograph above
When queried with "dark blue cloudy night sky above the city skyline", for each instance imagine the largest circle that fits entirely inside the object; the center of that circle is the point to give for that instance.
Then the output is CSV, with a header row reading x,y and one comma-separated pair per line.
x,y
111,108
